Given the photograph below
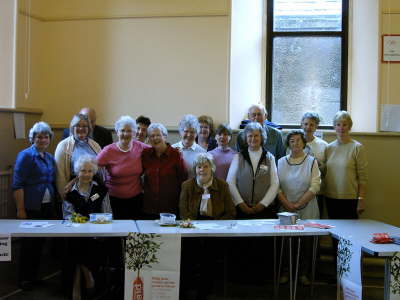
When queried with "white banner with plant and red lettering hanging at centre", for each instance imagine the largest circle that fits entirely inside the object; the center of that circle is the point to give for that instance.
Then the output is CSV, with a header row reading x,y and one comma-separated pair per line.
x,y
152,266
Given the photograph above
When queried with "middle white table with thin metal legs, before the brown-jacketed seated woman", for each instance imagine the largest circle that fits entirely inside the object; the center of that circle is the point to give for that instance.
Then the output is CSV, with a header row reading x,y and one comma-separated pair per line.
x,y
245,228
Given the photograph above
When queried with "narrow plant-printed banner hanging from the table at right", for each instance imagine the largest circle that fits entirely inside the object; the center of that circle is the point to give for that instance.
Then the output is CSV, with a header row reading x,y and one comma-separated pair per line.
x,y
349,269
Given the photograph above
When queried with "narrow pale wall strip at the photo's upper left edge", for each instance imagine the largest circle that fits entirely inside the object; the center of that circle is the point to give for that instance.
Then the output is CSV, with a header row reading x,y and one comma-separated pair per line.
x,y
7,52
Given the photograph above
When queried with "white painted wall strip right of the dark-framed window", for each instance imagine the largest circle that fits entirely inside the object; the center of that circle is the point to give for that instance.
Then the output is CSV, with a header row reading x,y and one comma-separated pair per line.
x,y
364,46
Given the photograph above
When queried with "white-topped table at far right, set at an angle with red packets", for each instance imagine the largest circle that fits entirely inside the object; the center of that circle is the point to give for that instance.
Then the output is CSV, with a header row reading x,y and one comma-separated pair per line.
x,y
361,233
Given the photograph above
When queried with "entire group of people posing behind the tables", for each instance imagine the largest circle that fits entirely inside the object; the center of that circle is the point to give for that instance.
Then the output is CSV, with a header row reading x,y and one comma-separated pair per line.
x,y
200,177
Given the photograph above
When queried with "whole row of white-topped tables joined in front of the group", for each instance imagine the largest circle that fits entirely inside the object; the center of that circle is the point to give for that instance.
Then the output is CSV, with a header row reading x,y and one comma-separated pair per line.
x,y
359,231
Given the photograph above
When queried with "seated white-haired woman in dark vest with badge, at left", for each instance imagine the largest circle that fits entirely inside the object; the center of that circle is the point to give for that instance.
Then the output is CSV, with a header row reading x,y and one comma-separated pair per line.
x,y
85,197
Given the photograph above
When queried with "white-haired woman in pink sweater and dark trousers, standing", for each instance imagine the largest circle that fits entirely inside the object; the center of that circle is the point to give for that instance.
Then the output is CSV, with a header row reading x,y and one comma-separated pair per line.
x,y
123,163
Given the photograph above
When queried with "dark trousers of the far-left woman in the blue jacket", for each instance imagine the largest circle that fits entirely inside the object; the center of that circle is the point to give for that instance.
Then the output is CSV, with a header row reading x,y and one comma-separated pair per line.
x,y
31,248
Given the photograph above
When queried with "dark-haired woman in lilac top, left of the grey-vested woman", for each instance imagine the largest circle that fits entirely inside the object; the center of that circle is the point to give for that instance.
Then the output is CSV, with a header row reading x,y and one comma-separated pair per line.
x,y
223,154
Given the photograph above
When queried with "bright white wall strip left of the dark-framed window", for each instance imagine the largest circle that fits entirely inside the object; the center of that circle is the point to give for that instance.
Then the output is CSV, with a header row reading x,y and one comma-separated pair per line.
x,y
246,58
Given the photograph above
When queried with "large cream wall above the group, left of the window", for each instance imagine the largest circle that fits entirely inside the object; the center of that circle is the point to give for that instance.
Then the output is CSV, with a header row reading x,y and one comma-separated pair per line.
x,y
146,63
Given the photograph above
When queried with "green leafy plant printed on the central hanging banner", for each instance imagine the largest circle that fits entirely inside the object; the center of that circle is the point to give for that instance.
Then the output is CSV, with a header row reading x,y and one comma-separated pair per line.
x,y
141,250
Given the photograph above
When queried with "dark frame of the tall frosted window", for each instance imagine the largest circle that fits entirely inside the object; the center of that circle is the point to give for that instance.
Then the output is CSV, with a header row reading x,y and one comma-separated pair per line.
x,y
269,55
